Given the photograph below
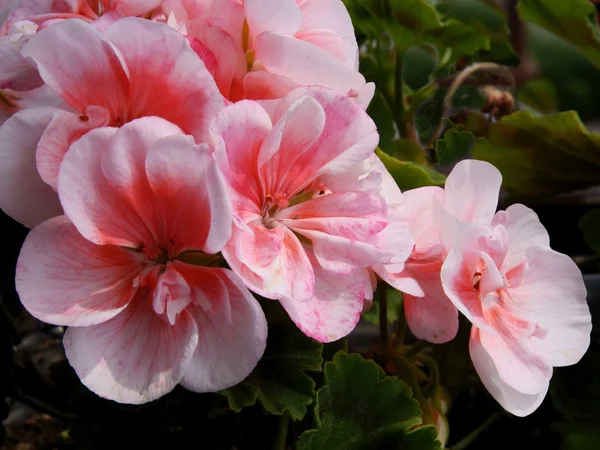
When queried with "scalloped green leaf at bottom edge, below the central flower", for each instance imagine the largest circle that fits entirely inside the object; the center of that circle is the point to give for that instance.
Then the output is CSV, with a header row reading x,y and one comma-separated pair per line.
x,y
359,408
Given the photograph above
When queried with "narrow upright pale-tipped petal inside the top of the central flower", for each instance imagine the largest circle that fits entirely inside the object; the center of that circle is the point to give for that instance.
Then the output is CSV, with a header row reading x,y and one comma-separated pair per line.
x,y
293,135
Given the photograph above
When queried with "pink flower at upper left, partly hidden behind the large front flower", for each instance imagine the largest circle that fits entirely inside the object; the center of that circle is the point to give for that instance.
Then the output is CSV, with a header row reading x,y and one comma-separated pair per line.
x,y
136,68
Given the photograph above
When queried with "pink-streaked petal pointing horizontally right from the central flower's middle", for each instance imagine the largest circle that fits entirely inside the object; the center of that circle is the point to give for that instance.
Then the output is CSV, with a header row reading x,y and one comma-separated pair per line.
x,y
353,215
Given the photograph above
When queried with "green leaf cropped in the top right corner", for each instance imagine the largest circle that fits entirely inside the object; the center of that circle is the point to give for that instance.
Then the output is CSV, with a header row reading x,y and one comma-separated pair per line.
x,y
573,20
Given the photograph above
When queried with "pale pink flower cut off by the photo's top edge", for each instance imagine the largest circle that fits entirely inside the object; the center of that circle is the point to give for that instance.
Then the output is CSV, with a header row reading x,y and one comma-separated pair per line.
x,y
262,49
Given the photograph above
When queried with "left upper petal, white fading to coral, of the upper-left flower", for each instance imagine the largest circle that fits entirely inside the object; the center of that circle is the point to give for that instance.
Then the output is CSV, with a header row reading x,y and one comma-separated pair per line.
x,y
80,65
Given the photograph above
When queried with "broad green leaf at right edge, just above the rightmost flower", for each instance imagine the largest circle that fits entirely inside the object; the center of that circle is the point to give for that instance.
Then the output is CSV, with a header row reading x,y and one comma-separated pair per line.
x,y
540,156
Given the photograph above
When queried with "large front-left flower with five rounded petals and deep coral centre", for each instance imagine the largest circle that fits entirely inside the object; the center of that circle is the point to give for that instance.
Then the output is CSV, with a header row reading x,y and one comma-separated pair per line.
x,y
145,207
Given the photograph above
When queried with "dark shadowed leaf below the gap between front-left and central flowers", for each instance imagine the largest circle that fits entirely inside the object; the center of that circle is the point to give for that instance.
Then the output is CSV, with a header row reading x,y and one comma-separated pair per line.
x,y
279,381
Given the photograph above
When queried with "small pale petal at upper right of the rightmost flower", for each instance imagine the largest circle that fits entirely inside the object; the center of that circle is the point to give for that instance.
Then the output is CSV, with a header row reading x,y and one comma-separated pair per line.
x,y
524,230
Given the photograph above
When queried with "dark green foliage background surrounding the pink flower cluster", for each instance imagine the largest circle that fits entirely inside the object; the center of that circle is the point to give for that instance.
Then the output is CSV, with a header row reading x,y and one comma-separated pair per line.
x,y
512,82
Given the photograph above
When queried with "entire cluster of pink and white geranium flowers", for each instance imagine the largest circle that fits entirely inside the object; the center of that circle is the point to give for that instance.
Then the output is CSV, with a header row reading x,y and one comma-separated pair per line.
x,y
146,141
